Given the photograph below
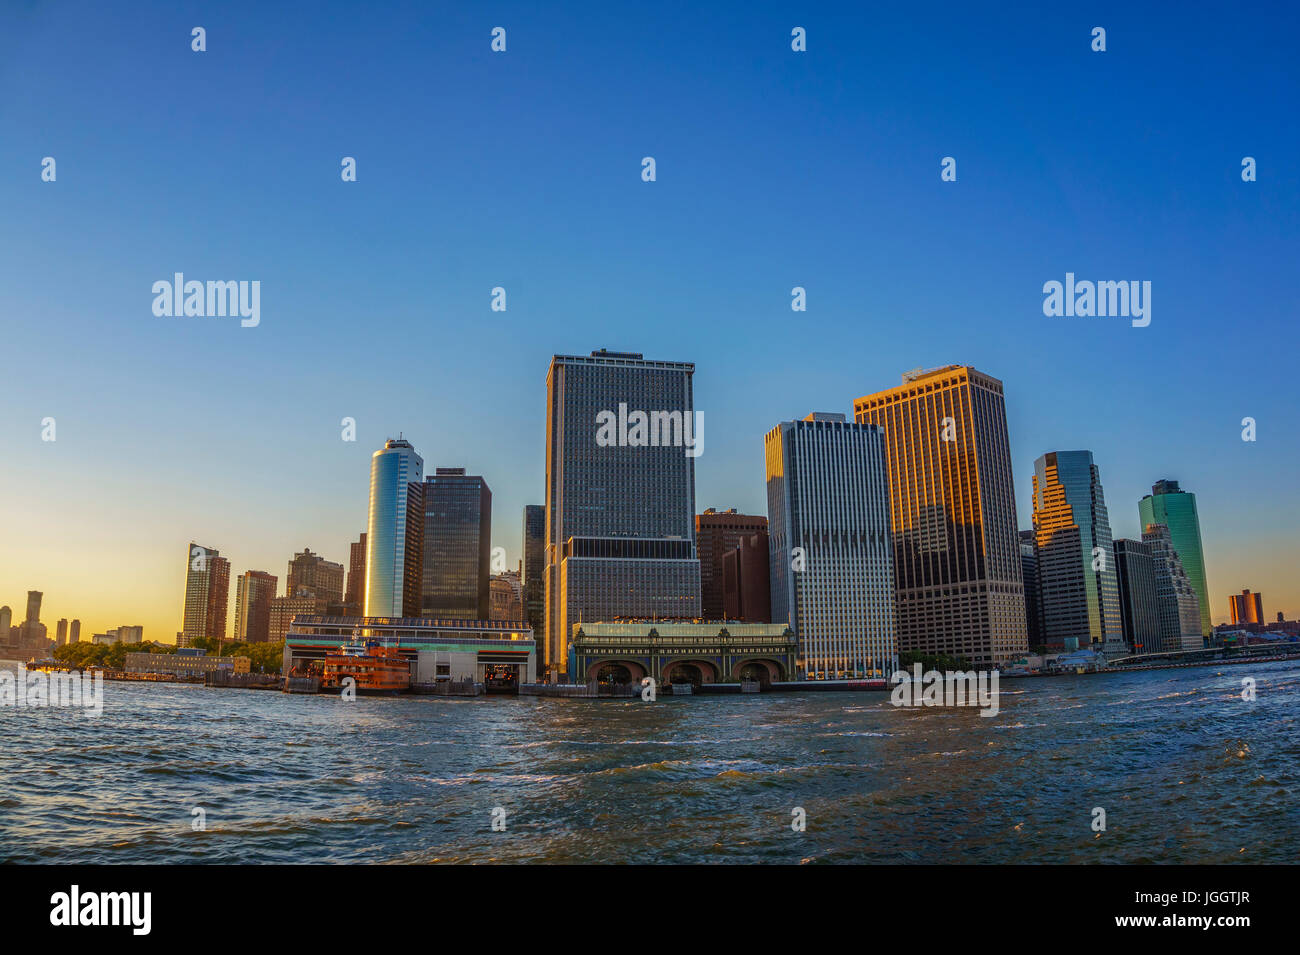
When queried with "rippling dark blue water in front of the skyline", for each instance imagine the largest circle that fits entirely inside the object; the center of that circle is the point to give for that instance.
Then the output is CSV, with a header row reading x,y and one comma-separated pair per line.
x,y
1185,770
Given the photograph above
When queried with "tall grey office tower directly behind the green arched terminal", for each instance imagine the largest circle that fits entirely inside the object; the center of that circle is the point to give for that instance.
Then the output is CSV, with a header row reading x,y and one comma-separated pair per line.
x,y
621,493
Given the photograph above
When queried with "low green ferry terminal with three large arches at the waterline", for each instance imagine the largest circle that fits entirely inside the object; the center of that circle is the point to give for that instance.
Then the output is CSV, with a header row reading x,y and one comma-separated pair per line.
x,y
681,653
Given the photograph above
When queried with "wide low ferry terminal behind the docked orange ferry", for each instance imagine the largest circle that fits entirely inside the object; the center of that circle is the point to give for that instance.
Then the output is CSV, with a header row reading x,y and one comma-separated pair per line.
x,y
437,650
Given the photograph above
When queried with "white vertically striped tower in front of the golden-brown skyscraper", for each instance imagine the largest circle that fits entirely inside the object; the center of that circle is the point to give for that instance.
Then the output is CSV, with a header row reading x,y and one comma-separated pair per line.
x,y
831,553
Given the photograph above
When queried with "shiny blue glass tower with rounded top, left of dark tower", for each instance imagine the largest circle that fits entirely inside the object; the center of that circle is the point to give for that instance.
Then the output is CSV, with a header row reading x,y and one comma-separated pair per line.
x,y
392,576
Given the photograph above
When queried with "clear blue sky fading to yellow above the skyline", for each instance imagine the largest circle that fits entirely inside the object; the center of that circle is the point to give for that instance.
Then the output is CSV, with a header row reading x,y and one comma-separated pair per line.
x,y
523,171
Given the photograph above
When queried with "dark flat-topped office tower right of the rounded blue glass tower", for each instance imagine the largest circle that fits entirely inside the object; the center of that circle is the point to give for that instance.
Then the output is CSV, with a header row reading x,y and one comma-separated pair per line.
x,y
457,546
